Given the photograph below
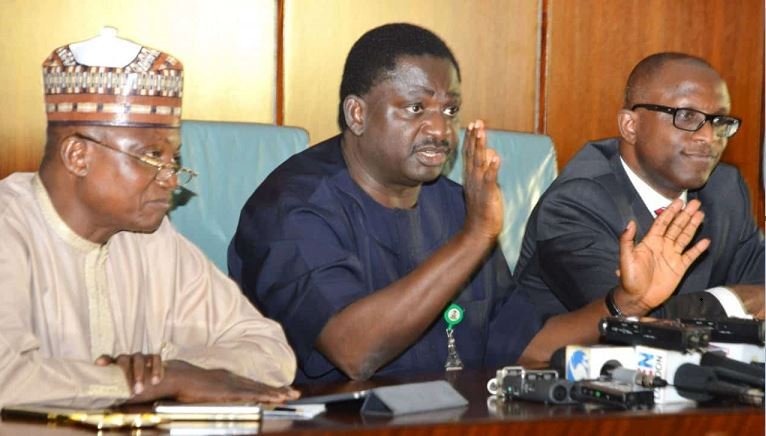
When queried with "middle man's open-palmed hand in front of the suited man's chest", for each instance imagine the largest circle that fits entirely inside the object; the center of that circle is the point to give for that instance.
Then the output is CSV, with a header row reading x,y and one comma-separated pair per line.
x,y
651,270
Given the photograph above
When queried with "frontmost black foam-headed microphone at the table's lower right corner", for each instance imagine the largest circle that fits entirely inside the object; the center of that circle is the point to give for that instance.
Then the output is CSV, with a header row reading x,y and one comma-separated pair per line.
x,y
700,383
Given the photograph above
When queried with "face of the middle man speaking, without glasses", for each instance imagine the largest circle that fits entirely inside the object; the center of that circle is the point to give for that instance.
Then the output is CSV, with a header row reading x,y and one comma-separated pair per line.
x,y
411,121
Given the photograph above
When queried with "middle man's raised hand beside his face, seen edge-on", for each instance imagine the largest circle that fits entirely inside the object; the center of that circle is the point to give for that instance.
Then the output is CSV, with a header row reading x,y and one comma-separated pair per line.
x,y
483,198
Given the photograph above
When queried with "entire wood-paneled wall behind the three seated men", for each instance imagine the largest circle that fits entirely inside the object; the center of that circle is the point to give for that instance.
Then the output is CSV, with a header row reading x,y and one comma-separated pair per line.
x,y
549,66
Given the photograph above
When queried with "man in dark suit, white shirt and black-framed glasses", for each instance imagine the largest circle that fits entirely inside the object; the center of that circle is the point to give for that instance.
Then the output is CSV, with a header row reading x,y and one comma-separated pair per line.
x,y
674,127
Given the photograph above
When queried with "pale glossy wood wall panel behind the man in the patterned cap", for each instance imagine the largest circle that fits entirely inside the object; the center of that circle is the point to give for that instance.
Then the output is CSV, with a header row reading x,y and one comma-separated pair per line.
x,y
227,47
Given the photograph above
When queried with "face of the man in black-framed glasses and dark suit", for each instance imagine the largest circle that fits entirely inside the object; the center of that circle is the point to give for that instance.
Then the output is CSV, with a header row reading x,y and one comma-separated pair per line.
x,y
672,160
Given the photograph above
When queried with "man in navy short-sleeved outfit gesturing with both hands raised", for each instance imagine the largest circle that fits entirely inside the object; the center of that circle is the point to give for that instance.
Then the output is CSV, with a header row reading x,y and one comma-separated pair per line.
x,y
368,257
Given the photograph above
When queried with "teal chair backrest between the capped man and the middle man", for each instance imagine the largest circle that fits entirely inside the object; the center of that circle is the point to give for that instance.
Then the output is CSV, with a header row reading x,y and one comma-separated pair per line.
x,y
232,159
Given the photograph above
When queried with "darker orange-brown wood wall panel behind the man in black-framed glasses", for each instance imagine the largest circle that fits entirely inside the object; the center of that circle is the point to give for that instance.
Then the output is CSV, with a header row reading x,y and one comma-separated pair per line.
x,y
592,45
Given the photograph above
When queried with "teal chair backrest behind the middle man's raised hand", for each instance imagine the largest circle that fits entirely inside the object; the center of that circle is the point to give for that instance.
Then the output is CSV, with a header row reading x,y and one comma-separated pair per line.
x,y
528,168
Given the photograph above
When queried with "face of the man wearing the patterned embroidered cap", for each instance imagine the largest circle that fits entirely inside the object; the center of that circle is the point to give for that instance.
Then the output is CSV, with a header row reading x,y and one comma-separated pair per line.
x,y
120,191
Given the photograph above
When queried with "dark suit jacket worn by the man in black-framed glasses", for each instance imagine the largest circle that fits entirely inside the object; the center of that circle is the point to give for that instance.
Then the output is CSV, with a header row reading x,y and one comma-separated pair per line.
x,y
570,249
